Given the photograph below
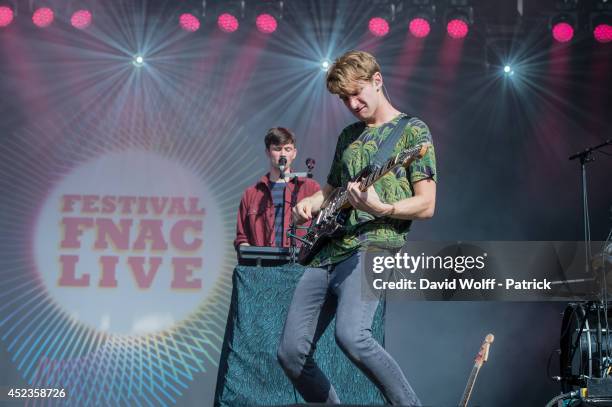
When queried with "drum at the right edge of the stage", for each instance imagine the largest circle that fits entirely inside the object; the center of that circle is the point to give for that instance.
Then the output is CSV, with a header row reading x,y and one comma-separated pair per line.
x,y
585,343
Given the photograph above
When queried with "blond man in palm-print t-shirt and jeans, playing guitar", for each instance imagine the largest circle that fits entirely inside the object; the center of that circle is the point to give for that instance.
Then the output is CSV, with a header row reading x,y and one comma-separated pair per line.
x,y
381,217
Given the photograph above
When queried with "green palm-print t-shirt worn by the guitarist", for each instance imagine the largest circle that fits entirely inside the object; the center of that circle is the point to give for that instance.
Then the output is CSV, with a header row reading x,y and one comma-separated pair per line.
x,y
356,148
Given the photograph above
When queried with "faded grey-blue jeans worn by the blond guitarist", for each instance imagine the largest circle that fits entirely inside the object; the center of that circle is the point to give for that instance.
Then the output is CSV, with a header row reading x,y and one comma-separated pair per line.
x,y
321,293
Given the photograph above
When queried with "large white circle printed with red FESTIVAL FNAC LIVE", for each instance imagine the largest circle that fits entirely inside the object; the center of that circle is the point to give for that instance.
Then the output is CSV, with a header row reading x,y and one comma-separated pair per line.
x,y
127,243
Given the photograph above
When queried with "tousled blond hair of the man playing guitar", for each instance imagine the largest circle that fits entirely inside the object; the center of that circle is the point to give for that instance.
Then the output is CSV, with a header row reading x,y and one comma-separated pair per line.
x,y
349,69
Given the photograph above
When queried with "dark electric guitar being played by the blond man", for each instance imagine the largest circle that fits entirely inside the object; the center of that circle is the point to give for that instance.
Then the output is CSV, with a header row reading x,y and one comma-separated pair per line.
x,y
330,221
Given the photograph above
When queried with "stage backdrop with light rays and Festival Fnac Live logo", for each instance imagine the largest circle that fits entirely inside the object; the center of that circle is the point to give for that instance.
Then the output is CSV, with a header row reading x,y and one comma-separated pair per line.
x,y
120,183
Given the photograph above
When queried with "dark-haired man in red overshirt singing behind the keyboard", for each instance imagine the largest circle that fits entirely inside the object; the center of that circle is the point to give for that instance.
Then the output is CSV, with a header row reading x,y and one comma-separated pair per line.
x,y
265,208
